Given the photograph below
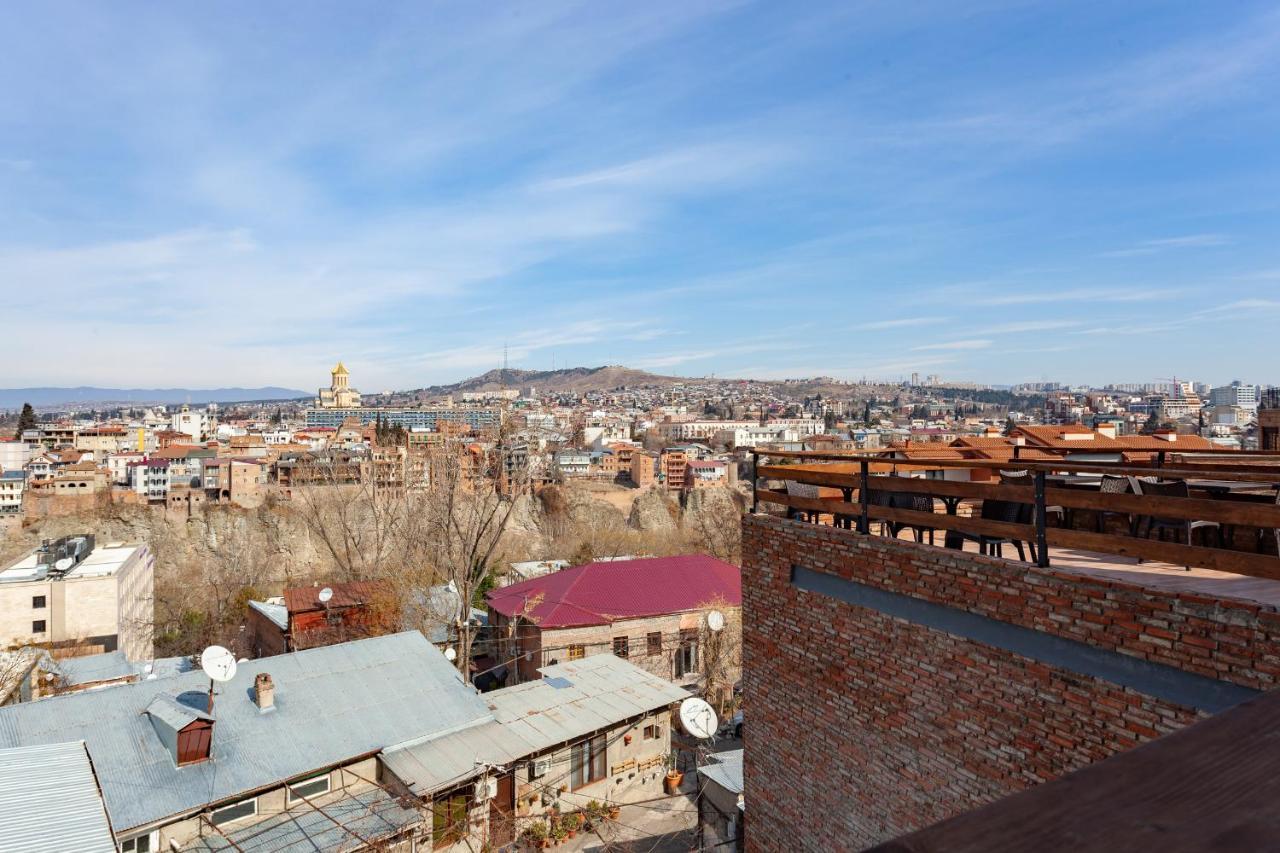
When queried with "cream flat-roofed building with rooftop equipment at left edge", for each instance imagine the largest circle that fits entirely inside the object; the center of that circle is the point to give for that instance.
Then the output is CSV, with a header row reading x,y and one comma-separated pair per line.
x,y
72,592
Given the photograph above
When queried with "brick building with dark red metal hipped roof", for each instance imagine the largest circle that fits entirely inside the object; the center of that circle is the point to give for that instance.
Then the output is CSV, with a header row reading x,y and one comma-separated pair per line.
x,y
650,612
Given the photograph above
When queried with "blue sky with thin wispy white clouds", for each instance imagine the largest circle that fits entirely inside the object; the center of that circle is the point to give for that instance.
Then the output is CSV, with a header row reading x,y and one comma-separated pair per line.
x,y
244,193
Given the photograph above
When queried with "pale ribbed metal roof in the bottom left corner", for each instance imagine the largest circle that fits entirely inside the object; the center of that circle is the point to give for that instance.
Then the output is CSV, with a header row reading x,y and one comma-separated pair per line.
x,y
49,801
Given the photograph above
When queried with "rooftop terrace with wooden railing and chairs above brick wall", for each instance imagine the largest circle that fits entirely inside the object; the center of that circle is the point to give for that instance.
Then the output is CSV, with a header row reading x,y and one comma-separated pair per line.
x,y
1174,521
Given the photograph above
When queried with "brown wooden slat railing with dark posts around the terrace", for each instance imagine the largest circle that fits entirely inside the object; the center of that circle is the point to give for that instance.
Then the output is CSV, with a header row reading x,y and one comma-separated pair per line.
x,y
865,475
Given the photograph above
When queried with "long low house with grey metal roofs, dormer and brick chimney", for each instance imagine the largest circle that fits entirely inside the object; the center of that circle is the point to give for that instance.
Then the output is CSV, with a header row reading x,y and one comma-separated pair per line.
x,y
371,745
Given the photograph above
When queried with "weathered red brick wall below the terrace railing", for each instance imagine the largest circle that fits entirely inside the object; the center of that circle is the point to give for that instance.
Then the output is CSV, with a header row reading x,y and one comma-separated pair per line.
x,y
863,727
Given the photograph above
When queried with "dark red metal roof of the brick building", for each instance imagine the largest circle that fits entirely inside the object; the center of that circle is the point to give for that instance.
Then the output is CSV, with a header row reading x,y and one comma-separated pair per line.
x,y
604,592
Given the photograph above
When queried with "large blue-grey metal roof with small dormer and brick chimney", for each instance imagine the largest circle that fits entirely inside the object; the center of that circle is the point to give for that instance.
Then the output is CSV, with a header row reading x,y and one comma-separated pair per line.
x,y
332,704
